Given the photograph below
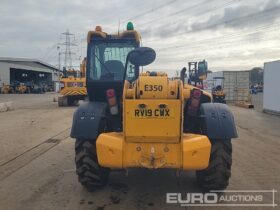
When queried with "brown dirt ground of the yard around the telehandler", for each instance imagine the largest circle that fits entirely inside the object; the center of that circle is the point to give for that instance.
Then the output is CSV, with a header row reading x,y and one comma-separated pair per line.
x,y
37,168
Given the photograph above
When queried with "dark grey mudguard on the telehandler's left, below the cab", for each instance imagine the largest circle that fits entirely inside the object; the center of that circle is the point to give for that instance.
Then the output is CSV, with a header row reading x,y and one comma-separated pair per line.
x,y
87,119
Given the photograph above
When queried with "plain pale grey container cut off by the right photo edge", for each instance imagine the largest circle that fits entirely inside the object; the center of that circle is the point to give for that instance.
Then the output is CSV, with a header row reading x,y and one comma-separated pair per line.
x,y
271,93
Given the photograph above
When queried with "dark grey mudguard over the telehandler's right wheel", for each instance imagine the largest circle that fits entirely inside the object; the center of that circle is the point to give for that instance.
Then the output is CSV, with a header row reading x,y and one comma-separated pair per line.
x,y
217,121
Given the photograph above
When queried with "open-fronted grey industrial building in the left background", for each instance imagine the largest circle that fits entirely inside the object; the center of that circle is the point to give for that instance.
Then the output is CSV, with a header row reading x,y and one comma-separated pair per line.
x,y
27,70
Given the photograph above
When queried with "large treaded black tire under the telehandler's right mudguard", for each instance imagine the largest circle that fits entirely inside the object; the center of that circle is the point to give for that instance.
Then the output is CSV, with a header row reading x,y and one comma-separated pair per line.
x,y
216,175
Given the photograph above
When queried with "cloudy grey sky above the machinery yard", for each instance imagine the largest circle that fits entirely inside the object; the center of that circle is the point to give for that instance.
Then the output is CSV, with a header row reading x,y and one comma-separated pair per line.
x,y
229,34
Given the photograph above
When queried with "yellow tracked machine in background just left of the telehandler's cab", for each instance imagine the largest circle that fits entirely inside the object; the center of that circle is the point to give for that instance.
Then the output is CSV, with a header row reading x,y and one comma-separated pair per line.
x,y
73,86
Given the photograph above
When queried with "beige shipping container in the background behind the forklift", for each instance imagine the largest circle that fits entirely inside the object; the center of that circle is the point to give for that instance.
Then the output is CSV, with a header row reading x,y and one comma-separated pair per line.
x,y
236,84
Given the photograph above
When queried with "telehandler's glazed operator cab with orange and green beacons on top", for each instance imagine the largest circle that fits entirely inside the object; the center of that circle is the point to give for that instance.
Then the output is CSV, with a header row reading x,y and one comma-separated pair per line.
x,y
106,58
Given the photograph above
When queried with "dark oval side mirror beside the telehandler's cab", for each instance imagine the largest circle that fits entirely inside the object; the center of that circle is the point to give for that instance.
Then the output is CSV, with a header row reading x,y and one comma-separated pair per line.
x,y
141,56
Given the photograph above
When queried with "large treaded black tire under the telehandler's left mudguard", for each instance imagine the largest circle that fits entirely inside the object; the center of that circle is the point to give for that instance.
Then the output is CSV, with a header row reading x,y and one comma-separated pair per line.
x,y
90,174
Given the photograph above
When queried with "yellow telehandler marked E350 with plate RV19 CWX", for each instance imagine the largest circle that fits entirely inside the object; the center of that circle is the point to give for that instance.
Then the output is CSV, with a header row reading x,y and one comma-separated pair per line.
x,y
145,120
